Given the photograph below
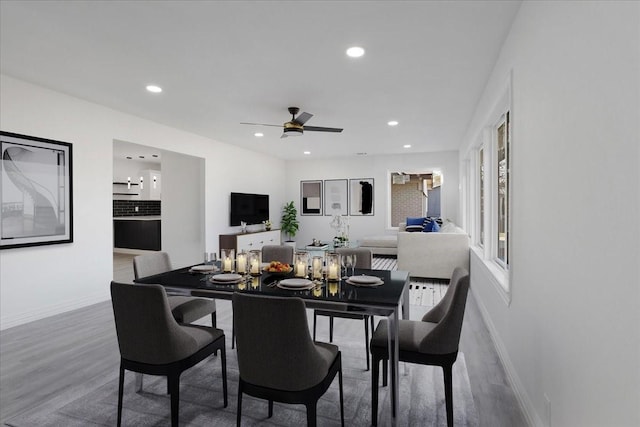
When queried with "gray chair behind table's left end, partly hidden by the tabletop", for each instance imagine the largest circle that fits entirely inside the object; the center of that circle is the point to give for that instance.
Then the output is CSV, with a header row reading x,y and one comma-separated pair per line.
x,y
185,309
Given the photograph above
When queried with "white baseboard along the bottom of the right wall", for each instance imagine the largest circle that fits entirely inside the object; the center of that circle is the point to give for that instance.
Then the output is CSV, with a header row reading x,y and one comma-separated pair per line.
x,y
530,414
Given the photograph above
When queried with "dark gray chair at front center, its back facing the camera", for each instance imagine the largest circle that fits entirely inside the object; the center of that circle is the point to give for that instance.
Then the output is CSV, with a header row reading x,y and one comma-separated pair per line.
x,y
277,359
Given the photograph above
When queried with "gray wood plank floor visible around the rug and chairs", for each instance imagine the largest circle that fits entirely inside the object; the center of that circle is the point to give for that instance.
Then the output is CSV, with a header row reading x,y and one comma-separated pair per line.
x,y
53,361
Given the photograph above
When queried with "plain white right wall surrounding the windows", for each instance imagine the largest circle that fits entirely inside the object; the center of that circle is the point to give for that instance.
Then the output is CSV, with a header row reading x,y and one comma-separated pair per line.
x,y
572,330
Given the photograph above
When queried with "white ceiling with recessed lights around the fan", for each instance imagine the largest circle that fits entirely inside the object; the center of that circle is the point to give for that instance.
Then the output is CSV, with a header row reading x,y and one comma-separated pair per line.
x,y
221,63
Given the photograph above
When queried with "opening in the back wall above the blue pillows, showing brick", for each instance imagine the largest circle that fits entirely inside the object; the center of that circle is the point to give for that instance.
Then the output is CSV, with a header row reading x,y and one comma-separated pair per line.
x,y
415,194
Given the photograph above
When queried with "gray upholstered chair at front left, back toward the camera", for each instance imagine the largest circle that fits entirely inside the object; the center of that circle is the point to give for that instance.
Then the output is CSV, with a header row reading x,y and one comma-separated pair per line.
x,y
152,342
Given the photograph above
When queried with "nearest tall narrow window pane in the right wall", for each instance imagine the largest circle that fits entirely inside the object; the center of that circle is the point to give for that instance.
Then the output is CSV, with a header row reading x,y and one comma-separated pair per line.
x,y
502,188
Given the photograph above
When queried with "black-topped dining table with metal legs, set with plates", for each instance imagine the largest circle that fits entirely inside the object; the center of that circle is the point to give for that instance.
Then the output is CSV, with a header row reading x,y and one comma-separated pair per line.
x,y
388,297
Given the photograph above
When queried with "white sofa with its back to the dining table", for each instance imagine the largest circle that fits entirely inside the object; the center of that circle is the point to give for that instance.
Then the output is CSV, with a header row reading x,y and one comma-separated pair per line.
x,y
433,255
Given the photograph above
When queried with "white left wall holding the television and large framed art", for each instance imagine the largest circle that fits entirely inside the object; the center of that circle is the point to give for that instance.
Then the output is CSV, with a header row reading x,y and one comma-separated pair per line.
x,y
41,281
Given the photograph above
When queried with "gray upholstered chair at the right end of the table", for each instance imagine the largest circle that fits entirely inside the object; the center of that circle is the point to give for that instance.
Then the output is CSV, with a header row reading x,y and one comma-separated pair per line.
x,y
432,341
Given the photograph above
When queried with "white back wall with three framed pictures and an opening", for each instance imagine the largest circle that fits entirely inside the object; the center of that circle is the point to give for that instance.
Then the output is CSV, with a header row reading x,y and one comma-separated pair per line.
x,y
378,168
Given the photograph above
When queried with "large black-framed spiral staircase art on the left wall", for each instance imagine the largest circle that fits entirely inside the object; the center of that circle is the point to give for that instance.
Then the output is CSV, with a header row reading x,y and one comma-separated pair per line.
x,y
35,191
